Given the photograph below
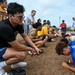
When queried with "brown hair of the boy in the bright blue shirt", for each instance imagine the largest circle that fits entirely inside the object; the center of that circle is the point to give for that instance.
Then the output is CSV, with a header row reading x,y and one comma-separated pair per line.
x,y
59,47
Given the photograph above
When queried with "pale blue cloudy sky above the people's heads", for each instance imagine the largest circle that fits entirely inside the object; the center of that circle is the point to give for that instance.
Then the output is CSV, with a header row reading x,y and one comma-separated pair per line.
x,y
53,10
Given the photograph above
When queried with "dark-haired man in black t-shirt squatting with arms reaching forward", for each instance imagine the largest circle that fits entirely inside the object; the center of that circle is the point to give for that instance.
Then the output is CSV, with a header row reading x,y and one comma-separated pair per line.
x,y
11,51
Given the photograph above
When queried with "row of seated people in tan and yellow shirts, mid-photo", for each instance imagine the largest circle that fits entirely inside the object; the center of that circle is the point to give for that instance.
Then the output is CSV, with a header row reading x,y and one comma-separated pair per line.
x,y
42,33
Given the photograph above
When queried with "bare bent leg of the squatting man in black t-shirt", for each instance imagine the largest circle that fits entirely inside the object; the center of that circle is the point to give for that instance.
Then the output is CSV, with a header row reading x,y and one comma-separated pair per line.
x,y
13,56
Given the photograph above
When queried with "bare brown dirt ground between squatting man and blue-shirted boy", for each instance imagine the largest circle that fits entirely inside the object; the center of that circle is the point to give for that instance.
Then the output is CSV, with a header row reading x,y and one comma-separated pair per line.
x,y
48,63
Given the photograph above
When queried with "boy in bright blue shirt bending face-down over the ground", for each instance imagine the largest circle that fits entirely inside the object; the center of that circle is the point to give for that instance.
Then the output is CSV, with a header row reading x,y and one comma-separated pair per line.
x,y
64,49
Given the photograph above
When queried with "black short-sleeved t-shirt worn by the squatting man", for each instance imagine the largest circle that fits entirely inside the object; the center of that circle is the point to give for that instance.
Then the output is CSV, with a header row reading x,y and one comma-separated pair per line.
x,y
7,32
